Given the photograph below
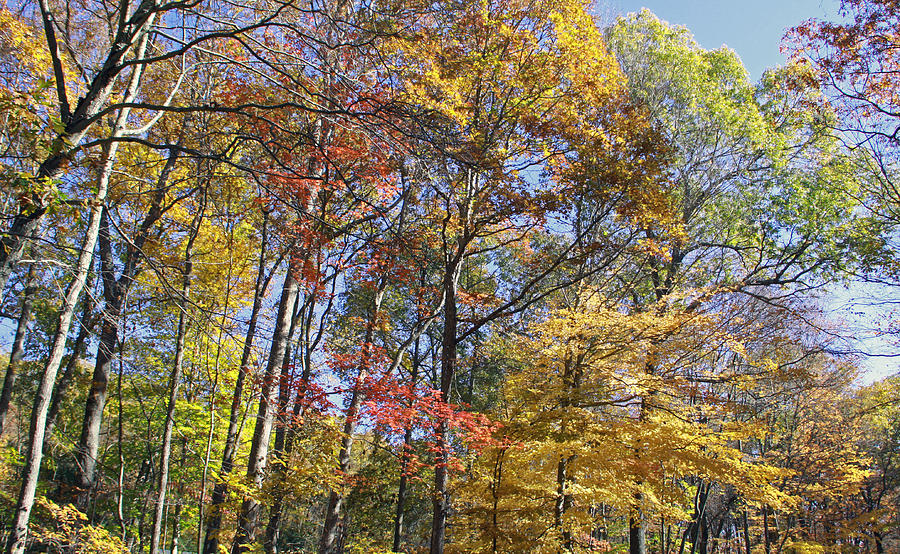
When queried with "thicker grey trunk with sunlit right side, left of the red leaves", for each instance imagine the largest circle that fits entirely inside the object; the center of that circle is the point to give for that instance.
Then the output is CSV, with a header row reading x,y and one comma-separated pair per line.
x,y
248,519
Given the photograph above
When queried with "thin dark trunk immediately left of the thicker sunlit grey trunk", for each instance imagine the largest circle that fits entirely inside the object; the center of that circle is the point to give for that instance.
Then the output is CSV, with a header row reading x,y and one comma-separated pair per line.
x,y
220,491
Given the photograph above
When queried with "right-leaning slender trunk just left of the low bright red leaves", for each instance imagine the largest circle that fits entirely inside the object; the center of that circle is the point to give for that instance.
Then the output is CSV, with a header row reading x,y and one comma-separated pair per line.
x,y
327,545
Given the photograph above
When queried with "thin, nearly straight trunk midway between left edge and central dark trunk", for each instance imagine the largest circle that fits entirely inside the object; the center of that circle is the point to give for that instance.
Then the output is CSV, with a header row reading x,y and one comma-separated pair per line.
x,y
174,384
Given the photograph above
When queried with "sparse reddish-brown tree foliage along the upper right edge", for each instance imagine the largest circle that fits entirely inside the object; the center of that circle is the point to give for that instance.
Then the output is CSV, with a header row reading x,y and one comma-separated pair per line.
x,y
854,63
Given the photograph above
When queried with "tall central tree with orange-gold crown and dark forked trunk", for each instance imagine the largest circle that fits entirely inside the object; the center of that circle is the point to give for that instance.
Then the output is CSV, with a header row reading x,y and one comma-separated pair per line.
x,y
514,83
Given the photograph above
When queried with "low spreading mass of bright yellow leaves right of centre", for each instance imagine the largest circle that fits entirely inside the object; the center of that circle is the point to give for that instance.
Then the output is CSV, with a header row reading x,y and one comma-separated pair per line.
x,y
605,398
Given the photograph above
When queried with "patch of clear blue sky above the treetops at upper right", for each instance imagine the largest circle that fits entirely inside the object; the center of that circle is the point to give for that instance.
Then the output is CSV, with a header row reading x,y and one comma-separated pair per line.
x,y
752,29
